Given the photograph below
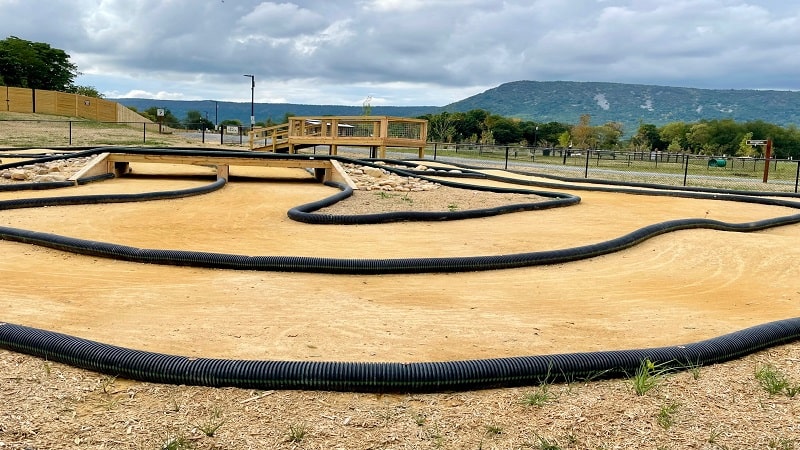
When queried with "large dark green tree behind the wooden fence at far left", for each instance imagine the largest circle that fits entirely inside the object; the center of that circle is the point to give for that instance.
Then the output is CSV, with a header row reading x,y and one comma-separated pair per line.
x,y
35,65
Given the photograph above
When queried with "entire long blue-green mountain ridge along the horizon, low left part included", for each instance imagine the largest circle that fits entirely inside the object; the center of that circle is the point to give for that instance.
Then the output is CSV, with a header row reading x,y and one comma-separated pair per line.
x,y
542,102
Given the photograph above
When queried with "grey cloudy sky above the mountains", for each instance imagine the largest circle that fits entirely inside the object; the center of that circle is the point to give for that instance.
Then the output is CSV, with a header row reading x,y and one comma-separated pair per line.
x,y
408,52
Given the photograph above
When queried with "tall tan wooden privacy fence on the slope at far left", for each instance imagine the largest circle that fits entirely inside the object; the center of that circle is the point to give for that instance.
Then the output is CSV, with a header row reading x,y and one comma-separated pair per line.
x,y
24,100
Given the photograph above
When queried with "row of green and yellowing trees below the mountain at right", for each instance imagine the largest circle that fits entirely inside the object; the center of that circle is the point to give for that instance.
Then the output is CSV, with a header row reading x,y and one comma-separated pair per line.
x,y
705,137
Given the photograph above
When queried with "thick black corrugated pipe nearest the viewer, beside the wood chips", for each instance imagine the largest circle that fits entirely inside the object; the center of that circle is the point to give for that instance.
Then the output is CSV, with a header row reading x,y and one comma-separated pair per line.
x,y
387,377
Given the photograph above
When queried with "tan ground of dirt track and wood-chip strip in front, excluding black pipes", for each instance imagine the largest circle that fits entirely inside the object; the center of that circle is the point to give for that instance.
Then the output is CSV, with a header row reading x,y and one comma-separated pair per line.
x,y
676,288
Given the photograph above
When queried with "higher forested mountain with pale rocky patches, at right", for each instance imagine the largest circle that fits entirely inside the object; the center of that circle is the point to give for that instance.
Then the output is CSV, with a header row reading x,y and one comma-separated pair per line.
x,y
631,104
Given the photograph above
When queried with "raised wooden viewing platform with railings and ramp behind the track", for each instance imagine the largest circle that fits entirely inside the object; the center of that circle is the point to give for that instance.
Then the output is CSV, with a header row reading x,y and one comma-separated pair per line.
x,y
376,132
